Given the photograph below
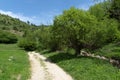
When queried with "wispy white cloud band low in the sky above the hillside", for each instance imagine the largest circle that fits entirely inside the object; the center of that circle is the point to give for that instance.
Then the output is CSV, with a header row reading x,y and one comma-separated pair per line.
x,y
43,18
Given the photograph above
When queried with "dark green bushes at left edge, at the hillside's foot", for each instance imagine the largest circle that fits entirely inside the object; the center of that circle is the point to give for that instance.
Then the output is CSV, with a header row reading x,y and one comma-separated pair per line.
x,y
7,37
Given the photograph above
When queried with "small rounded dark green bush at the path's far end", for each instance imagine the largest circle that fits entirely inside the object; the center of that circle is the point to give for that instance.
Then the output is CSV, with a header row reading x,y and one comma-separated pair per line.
x,y
27,44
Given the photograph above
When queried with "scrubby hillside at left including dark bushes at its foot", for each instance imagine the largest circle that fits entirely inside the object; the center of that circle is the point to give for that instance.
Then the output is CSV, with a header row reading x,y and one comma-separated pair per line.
x,y
13,28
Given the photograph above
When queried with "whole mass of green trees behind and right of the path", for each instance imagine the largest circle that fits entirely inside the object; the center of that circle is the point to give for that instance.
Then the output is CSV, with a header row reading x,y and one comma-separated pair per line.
x,y
78,29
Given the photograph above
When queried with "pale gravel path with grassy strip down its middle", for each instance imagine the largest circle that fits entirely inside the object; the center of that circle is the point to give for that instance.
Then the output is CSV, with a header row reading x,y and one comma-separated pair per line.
x,y
45,70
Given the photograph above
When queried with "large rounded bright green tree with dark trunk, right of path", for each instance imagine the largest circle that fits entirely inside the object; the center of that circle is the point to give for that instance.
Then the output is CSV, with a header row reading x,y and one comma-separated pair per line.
x,y
77,29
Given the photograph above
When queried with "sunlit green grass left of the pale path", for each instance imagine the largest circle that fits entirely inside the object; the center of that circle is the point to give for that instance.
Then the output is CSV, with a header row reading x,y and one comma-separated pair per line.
x,y
14,63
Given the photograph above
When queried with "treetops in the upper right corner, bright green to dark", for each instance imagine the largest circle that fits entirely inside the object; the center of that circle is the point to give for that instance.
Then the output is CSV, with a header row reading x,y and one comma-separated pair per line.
x,y
110,8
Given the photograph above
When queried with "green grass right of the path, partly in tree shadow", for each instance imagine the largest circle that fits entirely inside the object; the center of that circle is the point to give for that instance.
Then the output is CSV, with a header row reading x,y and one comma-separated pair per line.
x,y
85,68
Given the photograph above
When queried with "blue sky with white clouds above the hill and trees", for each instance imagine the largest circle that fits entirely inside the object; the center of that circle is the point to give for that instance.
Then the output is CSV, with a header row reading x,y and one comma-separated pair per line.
x,y
40,11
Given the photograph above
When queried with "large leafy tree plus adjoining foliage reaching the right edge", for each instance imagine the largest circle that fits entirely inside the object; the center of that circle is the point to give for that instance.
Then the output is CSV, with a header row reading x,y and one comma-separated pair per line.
x,y
78,29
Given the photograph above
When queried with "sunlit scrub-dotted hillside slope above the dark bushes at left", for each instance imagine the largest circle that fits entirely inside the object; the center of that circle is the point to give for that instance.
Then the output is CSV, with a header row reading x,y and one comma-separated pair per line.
x,y
14,25
